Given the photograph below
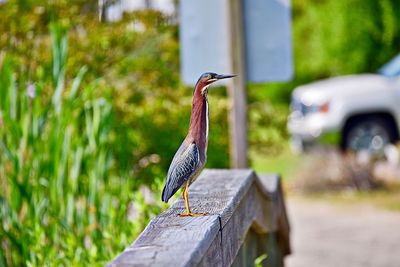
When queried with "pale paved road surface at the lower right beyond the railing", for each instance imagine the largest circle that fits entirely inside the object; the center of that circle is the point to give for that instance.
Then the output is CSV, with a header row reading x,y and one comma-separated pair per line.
x,y
340,236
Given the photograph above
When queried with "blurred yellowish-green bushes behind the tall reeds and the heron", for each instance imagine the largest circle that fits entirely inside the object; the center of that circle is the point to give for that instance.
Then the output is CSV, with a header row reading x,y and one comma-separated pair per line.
x,y
137,58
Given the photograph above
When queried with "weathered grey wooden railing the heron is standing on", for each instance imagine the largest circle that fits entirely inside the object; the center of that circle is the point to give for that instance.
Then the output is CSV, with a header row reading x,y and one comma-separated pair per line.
x,y
247,219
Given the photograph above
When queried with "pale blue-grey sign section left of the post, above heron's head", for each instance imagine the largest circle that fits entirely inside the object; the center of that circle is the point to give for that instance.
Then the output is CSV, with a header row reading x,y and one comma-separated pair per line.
x,y
204,38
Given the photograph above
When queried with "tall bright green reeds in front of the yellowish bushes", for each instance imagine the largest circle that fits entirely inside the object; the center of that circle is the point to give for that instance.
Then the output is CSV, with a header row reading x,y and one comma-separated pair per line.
x,y
63,199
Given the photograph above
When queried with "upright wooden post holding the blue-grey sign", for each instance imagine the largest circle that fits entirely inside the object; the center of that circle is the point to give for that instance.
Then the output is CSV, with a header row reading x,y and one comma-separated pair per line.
x,y
237,89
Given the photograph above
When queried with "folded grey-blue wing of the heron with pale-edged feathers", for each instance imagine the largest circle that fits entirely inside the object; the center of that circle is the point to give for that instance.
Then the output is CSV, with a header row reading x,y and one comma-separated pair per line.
x,y
184,164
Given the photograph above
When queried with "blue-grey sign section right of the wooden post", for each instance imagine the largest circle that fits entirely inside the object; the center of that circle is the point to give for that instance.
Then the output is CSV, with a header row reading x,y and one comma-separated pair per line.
x,y
268,41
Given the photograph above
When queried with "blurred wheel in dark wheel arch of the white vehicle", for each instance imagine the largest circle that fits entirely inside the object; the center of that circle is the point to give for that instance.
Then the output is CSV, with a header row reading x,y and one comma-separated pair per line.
x,y
371,134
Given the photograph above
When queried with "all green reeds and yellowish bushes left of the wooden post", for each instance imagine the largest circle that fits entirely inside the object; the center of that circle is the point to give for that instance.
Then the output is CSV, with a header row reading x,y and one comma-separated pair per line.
x,y
90,112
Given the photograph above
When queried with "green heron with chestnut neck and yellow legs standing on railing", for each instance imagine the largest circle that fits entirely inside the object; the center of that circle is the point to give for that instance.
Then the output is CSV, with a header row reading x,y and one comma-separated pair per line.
x,y
192,154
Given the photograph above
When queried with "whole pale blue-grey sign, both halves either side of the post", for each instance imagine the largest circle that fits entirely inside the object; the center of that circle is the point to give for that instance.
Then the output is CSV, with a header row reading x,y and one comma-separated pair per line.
x,y
204,36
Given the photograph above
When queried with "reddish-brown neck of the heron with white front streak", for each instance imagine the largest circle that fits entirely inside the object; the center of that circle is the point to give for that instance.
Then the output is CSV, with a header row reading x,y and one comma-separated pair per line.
x,y
198,128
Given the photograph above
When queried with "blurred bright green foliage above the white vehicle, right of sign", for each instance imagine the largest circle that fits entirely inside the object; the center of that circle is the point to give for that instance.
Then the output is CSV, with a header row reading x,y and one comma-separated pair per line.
x,y
342,37
